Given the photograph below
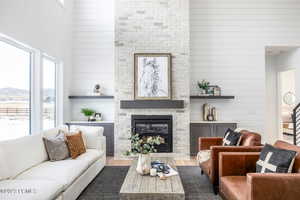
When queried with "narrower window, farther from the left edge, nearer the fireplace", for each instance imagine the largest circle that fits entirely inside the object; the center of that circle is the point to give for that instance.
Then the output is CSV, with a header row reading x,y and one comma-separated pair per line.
x,y
49,93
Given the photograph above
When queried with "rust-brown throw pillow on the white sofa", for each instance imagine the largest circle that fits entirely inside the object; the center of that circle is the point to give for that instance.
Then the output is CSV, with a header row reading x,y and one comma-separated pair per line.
x,y
76,145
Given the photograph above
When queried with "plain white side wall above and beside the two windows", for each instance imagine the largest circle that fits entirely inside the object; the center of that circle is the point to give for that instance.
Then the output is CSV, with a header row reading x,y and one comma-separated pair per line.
x,y
44,25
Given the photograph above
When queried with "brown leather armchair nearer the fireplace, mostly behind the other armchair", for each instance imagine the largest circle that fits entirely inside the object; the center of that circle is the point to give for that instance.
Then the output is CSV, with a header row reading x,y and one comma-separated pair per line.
x,y
251,142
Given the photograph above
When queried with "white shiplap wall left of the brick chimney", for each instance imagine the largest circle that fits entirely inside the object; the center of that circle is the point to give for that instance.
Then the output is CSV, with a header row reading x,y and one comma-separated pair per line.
x,y
93,55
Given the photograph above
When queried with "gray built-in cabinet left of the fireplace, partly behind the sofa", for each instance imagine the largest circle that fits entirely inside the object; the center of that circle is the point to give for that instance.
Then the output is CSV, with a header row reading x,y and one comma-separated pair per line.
x,y
108,133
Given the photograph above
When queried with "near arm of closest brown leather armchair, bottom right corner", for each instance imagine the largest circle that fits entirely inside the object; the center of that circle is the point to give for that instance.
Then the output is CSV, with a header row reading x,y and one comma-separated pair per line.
x,y
273,186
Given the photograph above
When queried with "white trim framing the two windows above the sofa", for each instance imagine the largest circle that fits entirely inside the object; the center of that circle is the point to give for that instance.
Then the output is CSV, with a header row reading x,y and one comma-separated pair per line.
x,y
36,85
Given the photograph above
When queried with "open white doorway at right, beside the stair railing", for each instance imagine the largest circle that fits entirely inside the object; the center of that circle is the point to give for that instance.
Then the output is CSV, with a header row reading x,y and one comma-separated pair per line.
x,y
281,91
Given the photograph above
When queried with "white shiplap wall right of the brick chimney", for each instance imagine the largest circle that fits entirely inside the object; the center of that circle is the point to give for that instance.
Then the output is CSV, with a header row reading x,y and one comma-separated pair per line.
x,y
228,40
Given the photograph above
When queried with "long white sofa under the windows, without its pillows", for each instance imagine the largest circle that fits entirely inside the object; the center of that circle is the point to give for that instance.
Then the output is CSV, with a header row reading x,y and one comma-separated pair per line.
x,y
26,173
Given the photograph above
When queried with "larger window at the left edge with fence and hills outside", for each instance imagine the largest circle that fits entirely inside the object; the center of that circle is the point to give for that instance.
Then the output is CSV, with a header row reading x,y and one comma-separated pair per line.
x,y
15,98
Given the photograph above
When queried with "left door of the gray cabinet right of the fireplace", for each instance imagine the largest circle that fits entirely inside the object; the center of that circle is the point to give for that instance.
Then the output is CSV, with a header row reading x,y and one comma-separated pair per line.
x,y
198,130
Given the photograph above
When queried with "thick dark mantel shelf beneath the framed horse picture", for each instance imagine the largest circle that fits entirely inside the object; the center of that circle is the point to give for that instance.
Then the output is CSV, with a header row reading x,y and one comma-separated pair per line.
x,y
152,104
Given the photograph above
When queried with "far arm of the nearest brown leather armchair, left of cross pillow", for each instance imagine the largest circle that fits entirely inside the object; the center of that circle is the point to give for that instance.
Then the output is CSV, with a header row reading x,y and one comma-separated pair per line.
x,y
237,163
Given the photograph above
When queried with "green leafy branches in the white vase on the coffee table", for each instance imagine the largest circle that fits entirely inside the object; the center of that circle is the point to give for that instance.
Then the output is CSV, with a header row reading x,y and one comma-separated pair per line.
x,y
144,145
